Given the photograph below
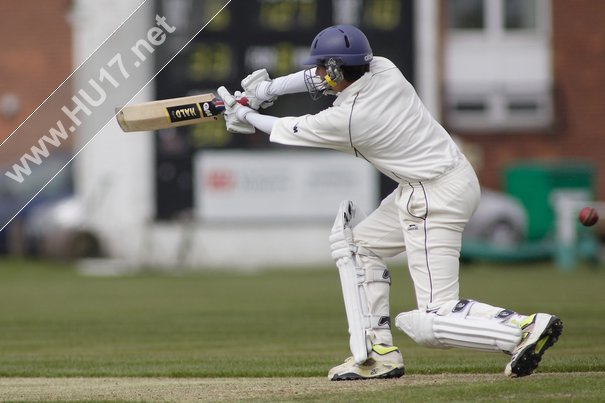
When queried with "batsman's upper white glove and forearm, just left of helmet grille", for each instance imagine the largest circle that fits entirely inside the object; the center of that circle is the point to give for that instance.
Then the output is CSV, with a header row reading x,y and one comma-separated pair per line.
x,y
262,91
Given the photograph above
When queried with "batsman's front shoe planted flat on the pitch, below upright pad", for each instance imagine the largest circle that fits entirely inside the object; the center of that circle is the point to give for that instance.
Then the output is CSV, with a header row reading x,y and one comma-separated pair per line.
x,y
383,362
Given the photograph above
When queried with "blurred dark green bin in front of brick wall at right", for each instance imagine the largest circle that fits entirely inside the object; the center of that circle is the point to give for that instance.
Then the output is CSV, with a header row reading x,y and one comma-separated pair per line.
x,y
534,184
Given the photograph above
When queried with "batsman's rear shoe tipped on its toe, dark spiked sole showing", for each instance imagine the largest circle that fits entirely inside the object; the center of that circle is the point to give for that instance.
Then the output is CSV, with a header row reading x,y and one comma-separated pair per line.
x,y
540,331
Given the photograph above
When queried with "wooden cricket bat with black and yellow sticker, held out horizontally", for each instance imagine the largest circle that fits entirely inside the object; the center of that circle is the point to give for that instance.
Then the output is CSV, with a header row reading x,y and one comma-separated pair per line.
x,y
174,112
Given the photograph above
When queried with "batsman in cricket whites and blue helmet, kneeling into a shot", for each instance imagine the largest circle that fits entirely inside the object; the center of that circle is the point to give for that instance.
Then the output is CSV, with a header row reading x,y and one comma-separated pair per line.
x,y
378,116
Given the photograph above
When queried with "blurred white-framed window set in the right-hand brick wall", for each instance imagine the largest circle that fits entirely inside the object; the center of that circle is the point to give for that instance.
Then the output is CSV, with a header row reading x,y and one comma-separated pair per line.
x,y
498,65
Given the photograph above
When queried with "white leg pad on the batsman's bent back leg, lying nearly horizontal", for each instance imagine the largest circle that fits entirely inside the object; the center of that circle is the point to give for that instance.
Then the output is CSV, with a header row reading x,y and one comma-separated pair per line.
x,y
433,330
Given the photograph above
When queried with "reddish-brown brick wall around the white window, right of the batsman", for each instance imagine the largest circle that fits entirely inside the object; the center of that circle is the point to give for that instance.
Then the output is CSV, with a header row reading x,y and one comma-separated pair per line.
x,y
579,84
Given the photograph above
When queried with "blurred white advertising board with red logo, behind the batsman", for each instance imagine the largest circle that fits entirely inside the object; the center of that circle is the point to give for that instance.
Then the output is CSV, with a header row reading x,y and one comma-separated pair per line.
x,y
240,185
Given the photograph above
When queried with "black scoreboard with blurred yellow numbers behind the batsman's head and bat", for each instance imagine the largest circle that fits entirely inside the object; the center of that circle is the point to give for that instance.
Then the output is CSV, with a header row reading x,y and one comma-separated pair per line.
x,y
245,36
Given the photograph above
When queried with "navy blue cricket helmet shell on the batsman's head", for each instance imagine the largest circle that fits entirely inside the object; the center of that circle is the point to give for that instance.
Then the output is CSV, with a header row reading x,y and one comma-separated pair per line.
x,y
344,43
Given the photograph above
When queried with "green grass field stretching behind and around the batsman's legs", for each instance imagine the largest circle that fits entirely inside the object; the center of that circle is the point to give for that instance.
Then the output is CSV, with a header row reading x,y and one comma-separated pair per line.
x,y
281,324
